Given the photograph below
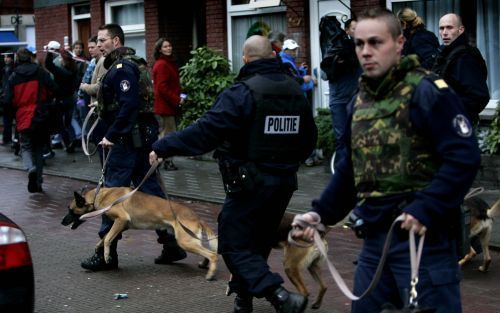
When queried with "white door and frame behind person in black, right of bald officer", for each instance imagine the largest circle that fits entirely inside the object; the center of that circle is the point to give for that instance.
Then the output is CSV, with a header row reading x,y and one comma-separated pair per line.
x,y
318,9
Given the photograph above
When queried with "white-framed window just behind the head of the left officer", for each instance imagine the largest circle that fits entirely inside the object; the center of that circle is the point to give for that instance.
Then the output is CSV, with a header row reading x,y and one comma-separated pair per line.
x,y
129,14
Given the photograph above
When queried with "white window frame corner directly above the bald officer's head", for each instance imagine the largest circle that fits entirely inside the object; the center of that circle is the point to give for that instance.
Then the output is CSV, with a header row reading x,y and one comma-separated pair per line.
x,y
240,10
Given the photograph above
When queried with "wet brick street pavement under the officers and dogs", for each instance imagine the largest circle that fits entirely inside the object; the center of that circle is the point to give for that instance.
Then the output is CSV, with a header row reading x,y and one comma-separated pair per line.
x,y
63,286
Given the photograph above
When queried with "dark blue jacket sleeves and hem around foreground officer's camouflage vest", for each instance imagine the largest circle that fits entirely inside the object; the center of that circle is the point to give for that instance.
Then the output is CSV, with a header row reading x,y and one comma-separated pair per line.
x,y
434,112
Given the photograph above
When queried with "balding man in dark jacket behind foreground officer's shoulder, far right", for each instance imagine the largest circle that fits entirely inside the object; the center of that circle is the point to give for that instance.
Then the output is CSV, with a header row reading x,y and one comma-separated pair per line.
x,y
462,66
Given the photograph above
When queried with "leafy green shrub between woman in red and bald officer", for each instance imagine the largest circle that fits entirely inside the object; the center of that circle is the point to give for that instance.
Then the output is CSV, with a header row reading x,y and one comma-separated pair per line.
x,y
206,75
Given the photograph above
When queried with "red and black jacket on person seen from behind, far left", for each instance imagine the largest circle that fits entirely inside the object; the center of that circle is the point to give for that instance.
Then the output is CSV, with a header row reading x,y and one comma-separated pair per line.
x,y
23,90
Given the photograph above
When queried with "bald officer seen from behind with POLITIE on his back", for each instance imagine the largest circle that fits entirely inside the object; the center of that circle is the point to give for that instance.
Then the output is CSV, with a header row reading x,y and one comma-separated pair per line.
x,y
262,128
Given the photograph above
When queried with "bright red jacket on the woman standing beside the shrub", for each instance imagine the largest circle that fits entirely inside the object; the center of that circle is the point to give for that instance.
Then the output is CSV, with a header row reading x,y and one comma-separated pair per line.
x,y
167,86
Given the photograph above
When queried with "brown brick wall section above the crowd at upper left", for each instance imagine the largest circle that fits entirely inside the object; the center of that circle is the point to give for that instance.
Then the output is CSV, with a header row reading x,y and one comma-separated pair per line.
x,y
56,24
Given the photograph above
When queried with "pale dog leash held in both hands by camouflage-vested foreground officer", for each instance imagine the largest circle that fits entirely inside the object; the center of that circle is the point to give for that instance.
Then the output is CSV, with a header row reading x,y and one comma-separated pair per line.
x,y
333,271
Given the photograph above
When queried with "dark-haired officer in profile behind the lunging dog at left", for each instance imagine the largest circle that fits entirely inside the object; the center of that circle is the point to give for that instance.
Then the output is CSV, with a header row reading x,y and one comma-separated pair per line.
x,y
129,127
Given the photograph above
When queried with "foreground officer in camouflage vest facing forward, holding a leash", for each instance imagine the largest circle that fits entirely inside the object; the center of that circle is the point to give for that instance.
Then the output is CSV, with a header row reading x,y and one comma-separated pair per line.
x,y
409,149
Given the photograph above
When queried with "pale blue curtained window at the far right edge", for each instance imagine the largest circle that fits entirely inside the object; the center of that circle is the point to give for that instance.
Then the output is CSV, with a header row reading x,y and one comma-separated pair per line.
x,y
488,36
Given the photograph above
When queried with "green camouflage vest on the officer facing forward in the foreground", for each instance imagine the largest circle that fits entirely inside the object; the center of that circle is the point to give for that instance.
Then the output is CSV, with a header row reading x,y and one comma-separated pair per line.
x,y
388,156
